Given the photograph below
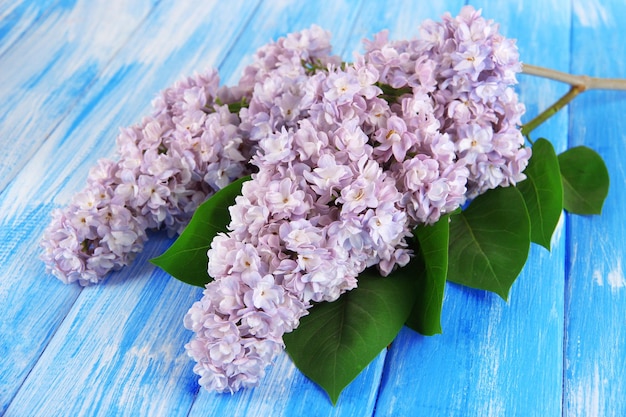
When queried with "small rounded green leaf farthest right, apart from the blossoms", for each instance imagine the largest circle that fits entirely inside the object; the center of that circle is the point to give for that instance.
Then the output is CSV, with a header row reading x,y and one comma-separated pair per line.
x,y
585,180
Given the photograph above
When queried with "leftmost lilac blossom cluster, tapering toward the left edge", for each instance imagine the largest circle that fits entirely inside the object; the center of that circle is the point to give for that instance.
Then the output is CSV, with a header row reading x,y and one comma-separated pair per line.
x,y
190,147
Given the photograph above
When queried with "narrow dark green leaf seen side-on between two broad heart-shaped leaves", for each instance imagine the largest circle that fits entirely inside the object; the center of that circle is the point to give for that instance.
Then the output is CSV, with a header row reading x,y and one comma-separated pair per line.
x,y
430,268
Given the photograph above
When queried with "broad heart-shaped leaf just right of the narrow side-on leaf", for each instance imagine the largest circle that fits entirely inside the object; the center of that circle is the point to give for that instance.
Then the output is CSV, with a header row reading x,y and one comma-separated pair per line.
x,y
489,241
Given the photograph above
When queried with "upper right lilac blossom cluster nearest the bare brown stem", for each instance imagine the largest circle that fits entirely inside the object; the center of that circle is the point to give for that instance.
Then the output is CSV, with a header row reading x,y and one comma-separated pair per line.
x,y
456,132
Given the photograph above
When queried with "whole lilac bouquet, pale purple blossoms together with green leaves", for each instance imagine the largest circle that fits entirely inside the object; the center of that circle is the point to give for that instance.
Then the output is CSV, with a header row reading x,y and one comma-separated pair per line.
x,y
331,201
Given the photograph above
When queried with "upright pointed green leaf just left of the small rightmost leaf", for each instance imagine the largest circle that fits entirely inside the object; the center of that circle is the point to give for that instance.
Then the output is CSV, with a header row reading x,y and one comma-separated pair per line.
x,y
543,192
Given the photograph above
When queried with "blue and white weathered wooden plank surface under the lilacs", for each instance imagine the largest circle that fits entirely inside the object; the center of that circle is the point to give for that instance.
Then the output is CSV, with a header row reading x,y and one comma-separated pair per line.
x,y
73,71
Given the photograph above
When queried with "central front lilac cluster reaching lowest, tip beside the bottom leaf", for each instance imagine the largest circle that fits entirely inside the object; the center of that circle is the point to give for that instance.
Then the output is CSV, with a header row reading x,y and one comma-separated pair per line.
x,y
319,211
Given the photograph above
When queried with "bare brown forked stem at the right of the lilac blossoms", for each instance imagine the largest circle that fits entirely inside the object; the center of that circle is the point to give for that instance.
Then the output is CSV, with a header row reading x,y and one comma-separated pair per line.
x,y
579,84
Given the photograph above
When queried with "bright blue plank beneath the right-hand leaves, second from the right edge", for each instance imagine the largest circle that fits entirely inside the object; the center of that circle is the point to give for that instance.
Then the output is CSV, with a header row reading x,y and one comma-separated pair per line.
x,y
496,358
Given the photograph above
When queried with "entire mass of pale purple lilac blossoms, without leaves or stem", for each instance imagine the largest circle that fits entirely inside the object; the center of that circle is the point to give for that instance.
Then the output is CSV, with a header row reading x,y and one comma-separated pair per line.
x,y
346,158
